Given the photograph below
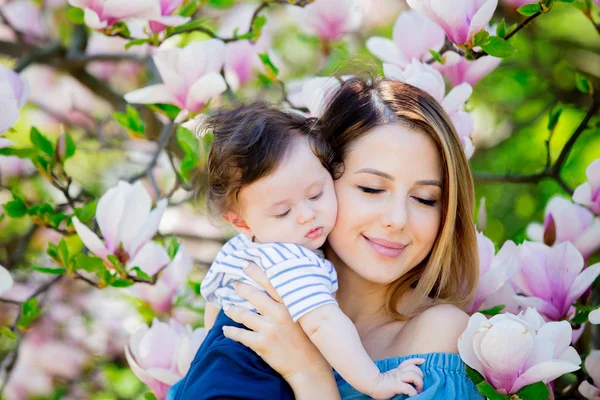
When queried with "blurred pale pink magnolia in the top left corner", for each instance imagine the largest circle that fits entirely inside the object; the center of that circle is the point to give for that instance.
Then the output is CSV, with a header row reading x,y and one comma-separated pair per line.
x,y
26,17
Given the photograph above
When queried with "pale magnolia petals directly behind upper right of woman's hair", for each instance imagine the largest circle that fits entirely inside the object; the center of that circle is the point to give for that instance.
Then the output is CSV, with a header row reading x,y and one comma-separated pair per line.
x,y
426,78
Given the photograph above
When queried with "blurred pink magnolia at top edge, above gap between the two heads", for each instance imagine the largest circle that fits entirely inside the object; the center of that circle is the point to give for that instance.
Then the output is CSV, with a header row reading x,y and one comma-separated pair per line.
x,y
330,19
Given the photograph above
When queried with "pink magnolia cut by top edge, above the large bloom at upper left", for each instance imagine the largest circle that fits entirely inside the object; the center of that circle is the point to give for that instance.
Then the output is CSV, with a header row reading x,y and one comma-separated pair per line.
x,y
101,14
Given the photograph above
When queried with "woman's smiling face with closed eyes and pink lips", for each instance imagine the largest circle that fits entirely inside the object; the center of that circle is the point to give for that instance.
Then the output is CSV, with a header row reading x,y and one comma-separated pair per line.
x,y
389,203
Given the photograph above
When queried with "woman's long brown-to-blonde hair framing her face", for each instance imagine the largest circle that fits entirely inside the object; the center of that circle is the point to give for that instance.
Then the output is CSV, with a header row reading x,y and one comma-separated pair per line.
x,y
449,274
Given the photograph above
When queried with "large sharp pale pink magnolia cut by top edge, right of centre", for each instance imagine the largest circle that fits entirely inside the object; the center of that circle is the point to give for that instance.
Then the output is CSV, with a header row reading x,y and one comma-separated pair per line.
x,y
460,19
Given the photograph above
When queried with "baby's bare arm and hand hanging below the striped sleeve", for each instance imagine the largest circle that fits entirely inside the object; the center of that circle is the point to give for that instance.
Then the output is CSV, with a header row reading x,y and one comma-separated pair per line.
x,y
336,337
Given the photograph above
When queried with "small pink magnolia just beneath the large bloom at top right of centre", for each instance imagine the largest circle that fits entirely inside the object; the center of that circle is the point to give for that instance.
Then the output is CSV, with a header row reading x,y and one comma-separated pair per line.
x,y
459,70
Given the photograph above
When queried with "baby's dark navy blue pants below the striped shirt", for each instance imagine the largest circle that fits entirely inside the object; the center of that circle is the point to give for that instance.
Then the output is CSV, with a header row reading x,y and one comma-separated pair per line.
x,y
224,369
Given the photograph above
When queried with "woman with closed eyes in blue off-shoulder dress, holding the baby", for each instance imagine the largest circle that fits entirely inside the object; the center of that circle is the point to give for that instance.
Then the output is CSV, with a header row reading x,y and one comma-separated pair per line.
x,y
404,248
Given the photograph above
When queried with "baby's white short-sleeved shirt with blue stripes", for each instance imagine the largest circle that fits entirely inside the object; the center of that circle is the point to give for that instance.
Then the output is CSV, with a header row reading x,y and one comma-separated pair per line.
x,y
303,279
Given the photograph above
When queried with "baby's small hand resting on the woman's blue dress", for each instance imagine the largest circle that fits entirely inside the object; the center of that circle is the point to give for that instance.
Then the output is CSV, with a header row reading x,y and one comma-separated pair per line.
x,y
406,379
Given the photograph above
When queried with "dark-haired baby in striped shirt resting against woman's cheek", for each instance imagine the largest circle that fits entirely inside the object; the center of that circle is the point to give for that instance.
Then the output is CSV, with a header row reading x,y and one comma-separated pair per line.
x,y
270,177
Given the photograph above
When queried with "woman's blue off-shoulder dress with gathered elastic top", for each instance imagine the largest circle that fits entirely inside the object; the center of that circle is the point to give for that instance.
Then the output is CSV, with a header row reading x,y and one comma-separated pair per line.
x,y
444,377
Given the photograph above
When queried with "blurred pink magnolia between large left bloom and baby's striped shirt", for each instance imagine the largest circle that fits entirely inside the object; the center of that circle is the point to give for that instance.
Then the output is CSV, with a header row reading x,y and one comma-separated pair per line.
x,y
172,280
